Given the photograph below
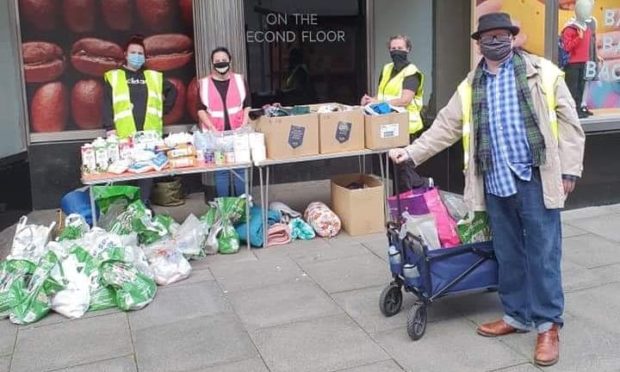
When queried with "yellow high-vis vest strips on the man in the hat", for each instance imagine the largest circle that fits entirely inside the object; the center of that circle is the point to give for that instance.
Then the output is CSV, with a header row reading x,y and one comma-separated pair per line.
x,y
550,74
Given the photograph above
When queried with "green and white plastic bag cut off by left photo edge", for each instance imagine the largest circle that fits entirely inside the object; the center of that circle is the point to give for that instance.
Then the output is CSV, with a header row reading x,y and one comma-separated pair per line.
x,y
13,276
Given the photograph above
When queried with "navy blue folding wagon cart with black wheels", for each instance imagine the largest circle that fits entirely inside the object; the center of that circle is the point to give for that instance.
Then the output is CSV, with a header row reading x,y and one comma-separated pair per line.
x,y
430,273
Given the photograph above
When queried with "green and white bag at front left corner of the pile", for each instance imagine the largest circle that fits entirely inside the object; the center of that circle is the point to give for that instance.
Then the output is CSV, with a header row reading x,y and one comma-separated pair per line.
x,y
33,301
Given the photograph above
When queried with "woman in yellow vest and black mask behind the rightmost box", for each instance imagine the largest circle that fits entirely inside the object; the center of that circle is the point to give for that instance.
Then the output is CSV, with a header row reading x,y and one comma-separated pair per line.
x,y
401,84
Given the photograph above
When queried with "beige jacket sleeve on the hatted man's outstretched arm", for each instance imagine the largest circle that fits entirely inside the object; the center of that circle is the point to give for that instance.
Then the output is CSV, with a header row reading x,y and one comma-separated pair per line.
x,y
446,130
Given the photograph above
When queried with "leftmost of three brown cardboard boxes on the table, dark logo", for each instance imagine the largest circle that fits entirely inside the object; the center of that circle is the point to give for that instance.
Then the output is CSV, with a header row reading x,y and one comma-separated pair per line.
x,y
289,137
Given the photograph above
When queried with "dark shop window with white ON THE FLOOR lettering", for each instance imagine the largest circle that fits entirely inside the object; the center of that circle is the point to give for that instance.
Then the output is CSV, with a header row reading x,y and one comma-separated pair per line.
x,y
306,52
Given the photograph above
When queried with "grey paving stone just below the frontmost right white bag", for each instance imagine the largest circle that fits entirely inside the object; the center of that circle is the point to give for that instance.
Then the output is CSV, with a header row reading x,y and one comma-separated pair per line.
x,y
179,303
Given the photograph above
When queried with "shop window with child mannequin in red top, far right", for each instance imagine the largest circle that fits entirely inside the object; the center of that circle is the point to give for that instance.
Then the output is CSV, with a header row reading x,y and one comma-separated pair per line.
x,y
593,70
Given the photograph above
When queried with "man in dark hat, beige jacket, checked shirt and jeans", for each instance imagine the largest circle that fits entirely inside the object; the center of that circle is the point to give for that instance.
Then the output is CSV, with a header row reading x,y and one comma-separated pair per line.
x,y
523,151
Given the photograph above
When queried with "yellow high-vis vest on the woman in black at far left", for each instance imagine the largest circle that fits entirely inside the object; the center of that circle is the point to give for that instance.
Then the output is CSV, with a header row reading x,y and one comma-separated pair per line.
x,y
123,108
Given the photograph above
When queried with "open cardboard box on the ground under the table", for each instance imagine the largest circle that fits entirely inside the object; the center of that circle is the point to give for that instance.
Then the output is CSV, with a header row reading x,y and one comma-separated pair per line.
x,y
360,210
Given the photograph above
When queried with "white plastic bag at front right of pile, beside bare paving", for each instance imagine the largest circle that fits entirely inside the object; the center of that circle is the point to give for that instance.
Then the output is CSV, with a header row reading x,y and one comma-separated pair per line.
x,y
166,262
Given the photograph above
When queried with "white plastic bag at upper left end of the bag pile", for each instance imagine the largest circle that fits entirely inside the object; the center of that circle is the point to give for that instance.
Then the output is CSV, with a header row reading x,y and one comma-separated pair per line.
x,y
29,241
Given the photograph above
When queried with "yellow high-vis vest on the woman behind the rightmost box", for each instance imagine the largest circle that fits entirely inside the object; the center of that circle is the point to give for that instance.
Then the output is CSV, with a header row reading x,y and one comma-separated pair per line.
x,y
392,89
